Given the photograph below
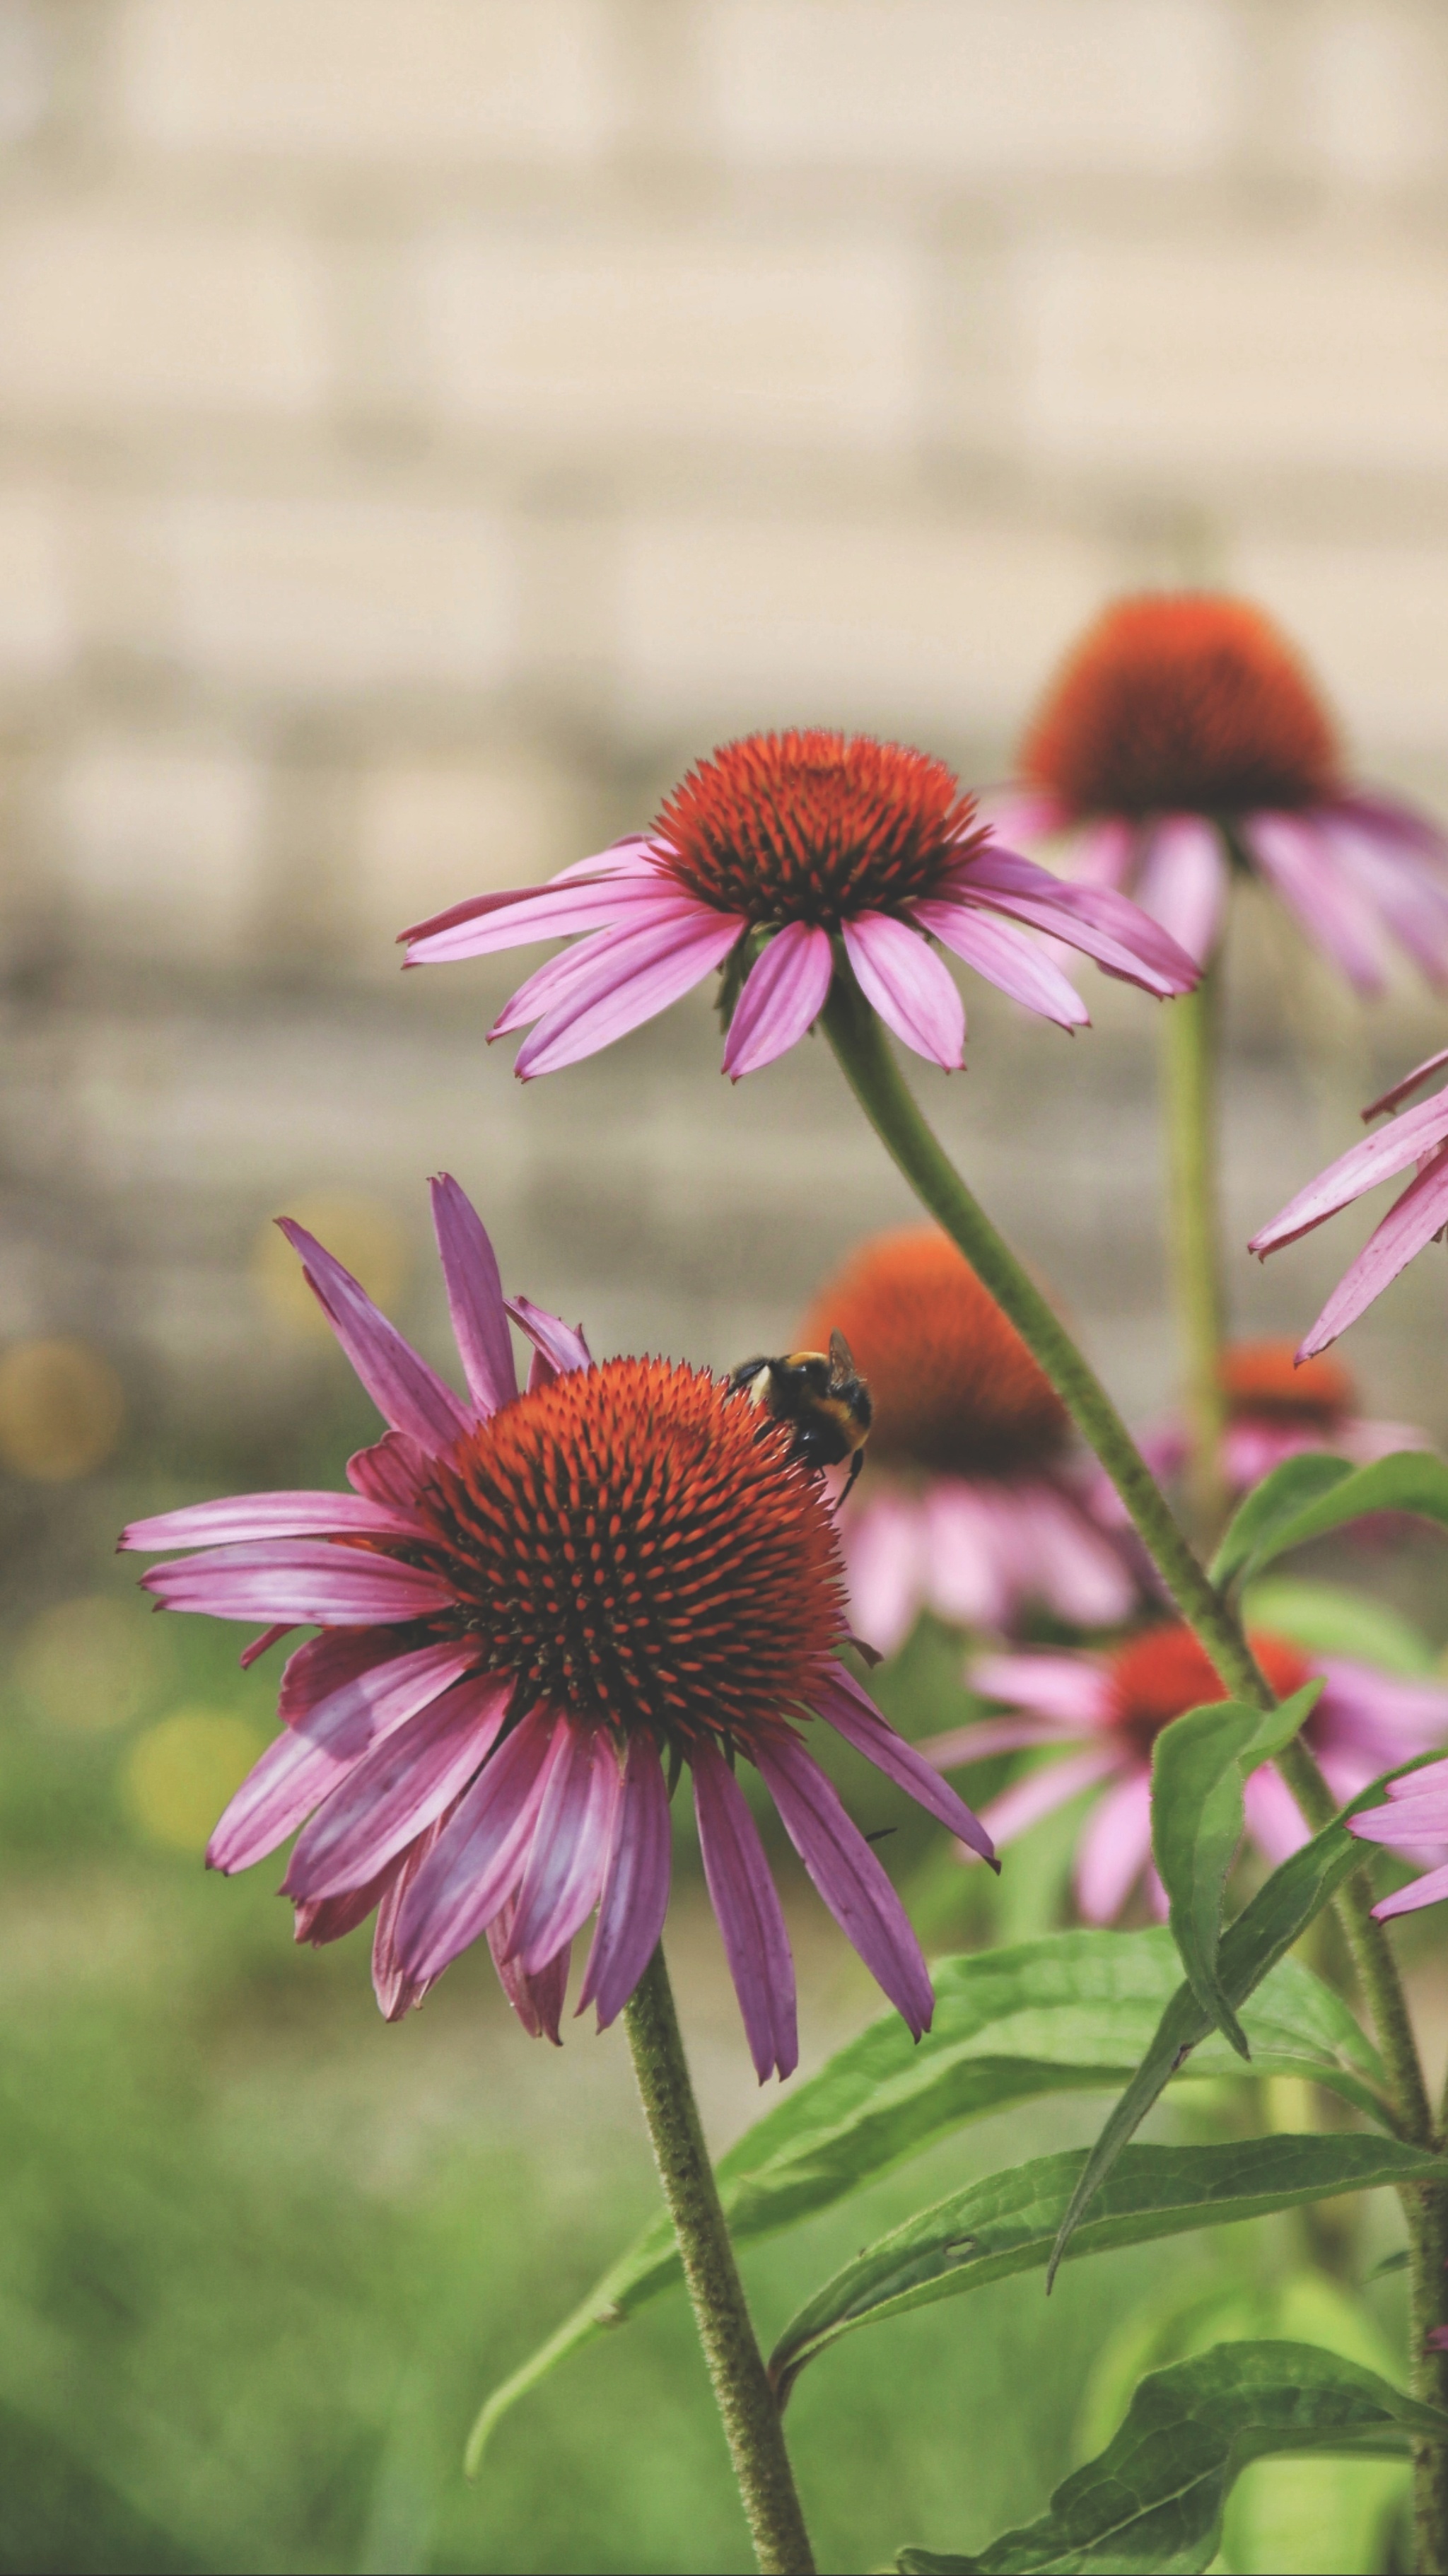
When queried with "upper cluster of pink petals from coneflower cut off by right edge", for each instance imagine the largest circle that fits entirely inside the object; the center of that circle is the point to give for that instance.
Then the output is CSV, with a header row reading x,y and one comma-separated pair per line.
x,y
1418,1137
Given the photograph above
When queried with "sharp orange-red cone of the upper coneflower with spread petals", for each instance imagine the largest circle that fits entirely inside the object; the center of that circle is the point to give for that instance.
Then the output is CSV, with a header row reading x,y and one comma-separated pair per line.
x,y
813,828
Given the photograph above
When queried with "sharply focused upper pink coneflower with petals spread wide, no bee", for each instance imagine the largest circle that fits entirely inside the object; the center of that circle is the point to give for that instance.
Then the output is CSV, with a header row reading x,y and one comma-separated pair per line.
x,y
767,857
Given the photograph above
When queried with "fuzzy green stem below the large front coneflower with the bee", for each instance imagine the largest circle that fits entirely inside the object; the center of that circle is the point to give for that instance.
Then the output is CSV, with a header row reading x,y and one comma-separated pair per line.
x,y
730,2348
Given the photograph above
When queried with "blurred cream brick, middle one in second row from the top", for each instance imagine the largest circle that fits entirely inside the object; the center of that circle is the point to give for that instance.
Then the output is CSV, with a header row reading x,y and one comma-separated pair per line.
x,y
712,336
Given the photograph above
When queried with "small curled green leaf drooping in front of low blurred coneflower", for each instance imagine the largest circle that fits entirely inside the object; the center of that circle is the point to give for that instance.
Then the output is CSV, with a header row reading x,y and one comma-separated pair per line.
x,y
1197,1825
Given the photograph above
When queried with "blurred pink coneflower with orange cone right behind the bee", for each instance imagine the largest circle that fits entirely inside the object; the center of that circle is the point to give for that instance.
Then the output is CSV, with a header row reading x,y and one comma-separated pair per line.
x,y
973,1501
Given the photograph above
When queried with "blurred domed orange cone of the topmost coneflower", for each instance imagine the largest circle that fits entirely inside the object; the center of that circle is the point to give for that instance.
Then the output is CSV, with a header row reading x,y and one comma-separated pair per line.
x,y
1181,705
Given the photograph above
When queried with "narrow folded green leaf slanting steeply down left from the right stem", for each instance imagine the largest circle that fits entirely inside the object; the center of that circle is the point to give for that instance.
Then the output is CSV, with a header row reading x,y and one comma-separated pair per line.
x,y
1261,1936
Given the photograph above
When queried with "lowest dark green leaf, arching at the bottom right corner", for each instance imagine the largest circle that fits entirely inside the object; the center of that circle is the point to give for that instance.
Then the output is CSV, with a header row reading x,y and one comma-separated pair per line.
x,y
1153,2500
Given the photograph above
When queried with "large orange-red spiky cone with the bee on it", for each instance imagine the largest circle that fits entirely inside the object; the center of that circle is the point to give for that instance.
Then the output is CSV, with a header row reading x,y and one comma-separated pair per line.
x,y
635,1547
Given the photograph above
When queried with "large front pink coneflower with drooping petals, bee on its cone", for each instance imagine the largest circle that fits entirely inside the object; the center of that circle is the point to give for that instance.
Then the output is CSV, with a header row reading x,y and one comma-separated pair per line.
x,y
529,1606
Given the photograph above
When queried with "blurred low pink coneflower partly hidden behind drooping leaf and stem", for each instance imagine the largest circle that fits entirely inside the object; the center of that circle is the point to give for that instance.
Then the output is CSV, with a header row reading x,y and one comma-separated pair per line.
x,y
1104,1714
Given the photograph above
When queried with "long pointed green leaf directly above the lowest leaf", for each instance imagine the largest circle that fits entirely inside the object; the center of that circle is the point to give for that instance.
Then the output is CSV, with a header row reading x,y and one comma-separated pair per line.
x,y
1009,2222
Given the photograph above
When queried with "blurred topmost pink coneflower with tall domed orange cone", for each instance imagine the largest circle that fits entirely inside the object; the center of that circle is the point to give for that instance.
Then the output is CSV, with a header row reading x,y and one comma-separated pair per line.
x,y
1186,741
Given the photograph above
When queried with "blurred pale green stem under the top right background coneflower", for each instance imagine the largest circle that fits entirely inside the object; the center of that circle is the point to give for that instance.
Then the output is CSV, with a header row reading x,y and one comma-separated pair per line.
x,y
1189,1099
